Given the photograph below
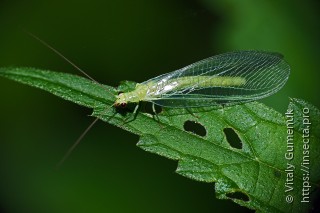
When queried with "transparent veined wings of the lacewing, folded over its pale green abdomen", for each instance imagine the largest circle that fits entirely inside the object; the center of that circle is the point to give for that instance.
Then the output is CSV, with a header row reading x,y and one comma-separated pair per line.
x,y
228,78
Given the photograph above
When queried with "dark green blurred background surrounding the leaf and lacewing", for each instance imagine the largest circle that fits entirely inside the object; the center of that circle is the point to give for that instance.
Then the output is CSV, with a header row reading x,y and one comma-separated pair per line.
x,y
133,40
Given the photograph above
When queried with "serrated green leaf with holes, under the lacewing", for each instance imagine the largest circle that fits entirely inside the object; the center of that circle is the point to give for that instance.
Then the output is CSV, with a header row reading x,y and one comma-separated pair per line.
x,y
258,171
